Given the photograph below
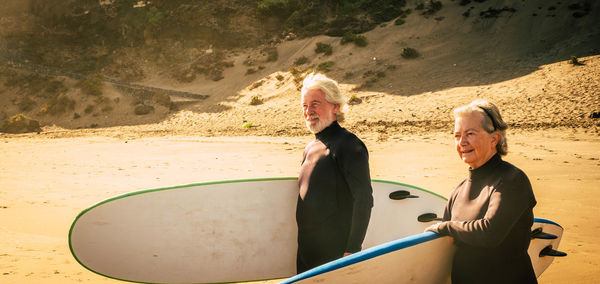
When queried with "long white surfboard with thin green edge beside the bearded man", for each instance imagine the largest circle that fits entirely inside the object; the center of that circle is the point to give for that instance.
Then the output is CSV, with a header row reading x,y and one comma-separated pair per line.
x,y
226,231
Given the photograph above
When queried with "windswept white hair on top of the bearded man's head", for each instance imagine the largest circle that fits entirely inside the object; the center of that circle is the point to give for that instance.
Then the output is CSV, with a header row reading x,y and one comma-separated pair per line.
x,y
316,81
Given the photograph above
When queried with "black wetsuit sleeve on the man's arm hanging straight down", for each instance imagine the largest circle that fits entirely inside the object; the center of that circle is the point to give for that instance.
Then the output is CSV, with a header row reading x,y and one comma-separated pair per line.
x,y
355,168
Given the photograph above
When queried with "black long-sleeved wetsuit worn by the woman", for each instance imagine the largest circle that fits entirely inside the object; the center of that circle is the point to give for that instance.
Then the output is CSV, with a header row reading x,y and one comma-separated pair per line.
x,y
490,216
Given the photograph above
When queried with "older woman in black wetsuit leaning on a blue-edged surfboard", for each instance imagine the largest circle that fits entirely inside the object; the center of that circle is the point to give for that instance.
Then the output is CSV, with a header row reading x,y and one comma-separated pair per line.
x,y
490,213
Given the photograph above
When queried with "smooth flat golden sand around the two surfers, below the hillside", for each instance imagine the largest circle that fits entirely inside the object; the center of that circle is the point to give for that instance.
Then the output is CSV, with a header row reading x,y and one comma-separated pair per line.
x,y
46,182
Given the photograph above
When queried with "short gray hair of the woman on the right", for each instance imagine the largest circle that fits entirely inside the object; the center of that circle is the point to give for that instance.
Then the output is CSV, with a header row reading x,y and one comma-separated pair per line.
x,y
492,120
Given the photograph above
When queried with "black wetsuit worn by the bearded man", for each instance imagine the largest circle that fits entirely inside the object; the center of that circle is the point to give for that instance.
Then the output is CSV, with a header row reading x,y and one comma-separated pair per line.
x,y
334,215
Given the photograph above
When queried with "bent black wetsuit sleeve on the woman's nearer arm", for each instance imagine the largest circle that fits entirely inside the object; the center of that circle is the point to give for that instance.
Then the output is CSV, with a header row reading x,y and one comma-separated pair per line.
x,y
510,200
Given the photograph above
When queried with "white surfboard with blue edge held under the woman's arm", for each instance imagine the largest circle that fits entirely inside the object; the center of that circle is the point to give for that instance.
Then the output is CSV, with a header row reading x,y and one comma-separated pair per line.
x,y
424,258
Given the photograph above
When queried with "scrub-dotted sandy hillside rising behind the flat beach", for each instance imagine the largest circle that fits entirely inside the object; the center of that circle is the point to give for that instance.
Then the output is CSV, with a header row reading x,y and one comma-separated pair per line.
x,y
255,54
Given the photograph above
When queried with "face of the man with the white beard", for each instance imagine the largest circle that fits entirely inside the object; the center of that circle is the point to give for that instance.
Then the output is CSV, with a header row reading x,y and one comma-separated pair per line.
x,y
318,112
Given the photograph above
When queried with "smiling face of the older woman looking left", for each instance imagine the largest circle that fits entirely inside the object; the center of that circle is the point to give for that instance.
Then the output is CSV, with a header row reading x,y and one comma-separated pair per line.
x,y
474,145
